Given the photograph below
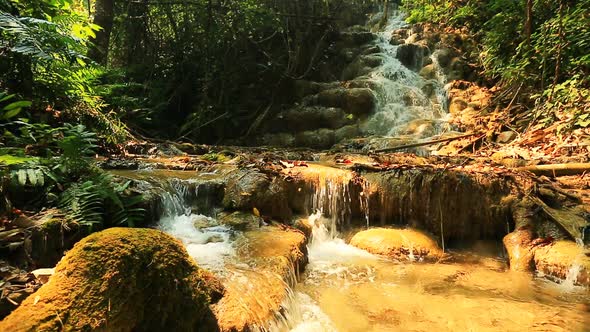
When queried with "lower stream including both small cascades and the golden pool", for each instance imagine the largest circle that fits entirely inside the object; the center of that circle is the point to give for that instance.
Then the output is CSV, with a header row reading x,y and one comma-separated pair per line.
x,y
347,289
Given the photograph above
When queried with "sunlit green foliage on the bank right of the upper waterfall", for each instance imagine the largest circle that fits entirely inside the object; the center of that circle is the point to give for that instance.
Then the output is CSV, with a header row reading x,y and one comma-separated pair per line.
x,y
554,68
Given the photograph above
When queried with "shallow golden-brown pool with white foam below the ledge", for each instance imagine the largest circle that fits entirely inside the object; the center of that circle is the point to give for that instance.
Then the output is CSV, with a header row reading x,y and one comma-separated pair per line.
x,y
347,289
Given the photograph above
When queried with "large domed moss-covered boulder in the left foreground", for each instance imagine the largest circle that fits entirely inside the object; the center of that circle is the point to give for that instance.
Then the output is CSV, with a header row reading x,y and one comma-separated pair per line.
x,y
122,279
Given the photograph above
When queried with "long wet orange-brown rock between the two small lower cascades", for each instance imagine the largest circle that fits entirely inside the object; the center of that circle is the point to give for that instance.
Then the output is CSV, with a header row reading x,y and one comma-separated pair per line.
x,y
254,295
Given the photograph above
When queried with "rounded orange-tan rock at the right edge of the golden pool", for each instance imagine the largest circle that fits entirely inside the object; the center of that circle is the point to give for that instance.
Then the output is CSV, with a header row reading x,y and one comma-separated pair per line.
x,y
564,260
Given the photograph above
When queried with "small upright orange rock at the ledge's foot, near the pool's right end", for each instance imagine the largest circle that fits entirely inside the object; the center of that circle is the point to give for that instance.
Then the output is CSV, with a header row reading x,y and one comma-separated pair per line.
x,y
520,249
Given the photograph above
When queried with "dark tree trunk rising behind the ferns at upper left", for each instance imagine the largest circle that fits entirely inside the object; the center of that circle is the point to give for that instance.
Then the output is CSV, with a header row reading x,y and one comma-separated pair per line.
x,y
103,16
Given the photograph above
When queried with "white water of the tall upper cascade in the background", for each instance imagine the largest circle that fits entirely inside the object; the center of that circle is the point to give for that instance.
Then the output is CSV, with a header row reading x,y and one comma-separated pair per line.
x,y
399,90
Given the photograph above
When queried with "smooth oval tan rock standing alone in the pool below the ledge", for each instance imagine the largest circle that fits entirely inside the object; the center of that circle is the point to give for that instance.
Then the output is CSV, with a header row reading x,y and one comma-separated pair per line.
x,y
401,244
